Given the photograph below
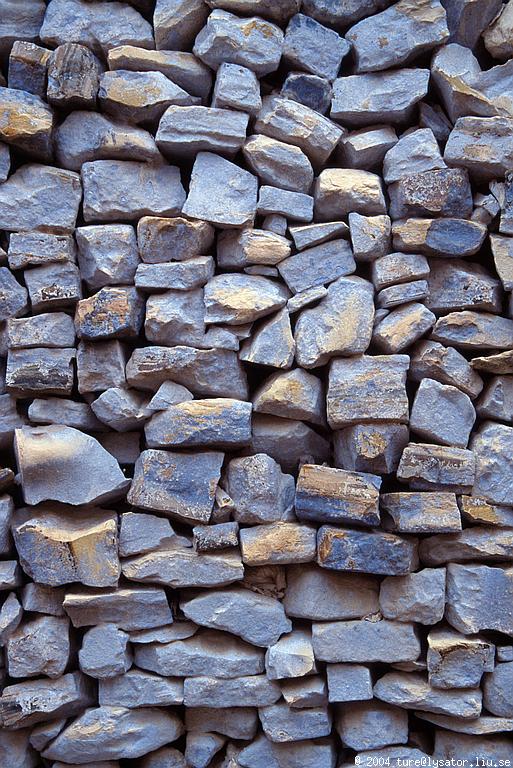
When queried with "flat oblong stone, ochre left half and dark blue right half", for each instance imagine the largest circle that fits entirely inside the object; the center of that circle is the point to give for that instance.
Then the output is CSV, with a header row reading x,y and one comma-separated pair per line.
x,y
439,237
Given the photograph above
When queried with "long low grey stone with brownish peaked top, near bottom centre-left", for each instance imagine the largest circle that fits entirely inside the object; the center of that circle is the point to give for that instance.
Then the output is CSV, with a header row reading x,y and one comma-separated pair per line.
x,y
210,653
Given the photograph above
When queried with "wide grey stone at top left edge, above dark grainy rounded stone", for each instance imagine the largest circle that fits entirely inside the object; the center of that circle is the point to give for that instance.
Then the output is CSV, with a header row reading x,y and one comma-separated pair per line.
x,y
95,25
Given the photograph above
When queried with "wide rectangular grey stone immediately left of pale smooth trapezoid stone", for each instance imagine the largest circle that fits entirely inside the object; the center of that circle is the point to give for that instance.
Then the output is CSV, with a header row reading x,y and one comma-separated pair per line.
x,y
117,190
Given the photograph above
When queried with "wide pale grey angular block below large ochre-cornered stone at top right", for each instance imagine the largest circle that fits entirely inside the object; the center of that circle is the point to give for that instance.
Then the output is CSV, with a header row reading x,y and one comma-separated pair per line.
x,y
384,97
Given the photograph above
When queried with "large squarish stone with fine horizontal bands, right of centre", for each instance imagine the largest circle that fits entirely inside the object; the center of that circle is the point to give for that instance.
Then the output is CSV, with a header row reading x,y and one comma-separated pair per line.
x,y
367,389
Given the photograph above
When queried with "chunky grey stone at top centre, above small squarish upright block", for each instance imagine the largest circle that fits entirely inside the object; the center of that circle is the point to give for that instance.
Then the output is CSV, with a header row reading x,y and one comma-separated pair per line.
x,y
253,43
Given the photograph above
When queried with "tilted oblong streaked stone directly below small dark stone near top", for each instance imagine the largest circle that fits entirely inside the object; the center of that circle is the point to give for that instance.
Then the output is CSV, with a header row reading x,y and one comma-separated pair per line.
x,y
293,123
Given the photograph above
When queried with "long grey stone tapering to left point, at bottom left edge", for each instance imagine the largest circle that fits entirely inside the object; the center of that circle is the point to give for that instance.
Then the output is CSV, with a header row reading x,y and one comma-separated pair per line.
x,y
118,733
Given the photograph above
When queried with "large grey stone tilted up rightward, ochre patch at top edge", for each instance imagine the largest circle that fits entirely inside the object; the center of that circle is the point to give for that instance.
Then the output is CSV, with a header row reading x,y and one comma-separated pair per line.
x,y
397,34
